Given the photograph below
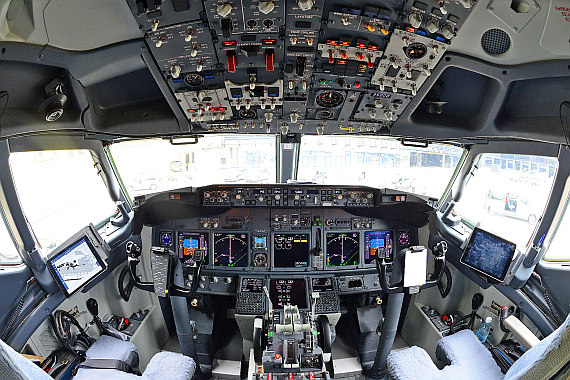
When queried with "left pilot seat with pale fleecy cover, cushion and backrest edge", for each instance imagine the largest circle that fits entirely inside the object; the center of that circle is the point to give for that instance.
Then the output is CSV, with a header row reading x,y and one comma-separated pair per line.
x,y
101,357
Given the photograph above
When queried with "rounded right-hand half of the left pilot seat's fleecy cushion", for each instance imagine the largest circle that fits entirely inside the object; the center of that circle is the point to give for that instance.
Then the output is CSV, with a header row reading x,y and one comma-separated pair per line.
x,y
169,365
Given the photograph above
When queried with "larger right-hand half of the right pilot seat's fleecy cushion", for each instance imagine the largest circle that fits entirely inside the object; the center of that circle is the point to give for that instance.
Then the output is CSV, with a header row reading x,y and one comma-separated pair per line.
x,y
468,356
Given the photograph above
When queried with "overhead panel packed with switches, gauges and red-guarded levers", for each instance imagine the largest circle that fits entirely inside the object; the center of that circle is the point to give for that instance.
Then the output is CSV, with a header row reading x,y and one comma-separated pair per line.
x,y
302,66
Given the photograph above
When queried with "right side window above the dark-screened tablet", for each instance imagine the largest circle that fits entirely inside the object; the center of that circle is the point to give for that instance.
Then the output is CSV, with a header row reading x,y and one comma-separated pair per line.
x,y
507,195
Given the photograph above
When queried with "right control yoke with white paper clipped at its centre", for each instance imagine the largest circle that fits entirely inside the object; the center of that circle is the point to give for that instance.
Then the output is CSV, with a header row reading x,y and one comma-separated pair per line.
x,y
388,271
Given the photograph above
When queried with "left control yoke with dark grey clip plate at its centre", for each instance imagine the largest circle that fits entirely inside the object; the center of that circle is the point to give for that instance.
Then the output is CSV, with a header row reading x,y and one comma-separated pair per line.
x,y
162,262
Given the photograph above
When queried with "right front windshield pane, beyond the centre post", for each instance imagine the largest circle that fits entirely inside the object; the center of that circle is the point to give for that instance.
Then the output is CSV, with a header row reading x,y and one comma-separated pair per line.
x,y
378,162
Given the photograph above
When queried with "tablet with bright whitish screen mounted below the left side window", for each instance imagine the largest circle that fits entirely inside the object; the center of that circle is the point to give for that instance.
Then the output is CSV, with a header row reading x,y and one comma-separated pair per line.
x,y
76,265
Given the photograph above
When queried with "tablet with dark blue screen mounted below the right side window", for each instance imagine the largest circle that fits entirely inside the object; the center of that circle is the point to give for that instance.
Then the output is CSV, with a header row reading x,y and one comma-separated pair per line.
x,y
488,254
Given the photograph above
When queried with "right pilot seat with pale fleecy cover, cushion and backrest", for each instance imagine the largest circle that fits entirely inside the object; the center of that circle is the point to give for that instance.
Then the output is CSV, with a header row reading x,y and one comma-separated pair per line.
x,y
470,359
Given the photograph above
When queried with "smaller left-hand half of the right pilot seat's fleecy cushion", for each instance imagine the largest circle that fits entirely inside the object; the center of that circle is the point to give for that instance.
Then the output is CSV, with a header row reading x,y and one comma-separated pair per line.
x,y
412,363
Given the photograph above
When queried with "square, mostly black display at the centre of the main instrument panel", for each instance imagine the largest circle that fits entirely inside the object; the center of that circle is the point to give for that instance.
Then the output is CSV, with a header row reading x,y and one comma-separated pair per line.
x,y
291,250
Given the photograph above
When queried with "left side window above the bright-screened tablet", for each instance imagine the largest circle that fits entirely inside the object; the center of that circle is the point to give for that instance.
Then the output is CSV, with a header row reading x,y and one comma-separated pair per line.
x,y
60,192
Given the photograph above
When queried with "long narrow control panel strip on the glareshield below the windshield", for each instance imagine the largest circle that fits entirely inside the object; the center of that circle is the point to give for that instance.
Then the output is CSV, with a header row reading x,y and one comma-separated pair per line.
x,y
289,196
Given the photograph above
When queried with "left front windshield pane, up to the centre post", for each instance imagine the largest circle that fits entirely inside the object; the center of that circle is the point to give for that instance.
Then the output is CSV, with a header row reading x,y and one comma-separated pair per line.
x,y
148,166
